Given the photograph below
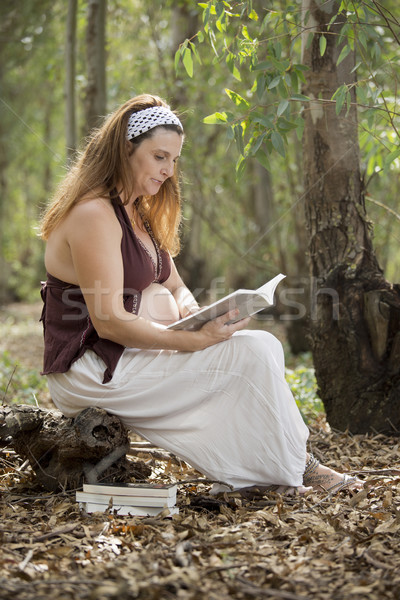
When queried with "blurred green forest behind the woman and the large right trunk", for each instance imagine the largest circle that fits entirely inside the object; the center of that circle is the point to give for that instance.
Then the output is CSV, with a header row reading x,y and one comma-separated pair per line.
x,y
64,64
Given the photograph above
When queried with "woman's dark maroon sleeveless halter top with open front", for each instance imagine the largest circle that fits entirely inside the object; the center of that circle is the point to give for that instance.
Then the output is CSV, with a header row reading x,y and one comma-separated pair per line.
x,y
67,327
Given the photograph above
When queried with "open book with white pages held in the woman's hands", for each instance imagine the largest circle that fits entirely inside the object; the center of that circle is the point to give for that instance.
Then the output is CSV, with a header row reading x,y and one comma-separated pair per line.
x,y
248,302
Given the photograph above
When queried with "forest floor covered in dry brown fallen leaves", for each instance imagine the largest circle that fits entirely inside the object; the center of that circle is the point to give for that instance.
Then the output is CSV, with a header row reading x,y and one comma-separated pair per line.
x,y
268,546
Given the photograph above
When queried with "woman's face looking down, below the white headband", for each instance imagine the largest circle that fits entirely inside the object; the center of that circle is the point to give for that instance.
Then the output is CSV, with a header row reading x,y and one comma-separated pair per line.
x,y
153,161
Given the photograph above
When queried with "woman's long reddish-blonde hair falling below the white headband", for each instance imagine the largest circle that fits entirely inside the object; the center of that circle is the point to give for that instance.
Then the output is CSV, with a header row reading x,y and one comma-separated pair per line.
x,y
104,164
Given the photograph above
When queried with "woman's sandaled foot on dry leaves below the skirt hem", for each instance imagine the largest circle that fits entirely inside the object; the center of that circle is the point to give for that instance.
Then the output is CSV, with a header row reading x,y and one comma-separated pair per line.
x,y
324,479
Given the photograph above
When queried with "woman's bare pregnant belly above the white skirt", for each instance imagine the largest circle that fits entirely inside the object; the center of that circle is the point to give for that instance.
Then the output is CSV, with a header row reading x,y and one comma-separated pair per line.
x,y
158,305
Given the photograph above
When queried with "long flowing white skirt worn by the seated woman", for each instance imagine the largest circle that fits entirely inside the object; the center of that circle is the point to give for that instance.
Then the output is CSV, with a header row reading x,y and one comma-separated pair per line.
x,y
226,410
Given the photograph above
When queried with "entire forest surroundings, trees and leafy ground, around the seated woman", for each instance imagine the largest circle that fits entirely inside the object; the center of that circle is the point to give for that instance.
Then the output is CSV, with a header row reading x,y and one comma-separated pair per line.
x,y
296,170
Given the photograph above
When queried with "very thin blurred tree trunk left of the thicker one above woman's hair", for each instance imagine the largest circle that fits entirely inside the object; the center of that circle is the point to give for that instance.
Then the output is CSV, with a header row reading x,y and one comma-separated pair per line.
x,y
70,60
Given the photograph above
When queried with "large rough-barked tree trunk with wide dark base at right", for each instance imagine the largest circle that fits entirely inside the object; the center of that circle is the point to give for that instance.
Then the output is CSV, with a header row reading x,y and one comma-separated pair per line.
x,y
355,317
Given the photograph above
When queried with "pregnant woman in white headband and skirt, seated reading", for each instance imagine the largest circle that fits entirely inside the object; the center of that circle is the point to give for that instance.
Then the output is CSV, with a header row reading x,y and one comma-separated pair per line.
x,y
216,397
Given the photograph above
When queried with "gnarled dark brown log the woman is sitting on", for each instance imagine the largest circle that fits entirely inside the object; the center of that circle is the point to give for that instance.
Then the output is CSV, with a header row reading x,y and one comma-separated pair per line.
x,y
64,452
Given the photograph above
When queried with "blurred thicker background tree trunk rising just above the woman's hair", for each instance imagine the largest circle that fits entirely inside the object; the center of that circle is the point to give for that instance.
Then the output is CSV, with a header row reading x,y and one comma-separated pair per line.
x,y
96,63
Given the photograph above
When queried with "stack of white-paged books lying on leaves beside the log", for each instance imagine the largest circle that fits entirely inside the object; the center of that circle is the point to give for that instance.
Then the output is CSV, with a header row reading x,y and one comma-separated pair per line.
x,y
143,499
